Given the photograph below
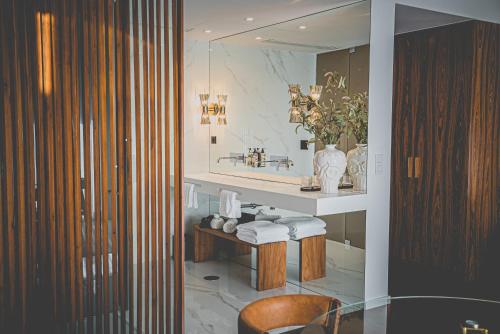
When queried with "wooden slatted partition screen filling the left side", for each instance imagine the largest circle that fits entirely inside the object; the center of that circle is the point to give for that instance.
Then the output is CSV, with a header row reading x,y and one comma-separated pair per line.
x,y
85,137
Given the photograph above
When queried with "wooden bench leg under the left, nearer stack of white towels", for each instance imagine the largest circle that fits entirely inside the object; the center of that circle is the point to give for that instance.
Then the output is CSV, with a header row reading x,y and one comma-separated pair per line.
x,y
271,265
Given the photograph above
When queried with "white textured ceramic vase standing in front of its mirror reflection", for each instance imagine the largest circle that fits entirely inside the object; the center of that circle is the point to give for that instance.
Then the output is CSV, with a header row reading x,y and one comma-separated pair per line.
x,y
329,166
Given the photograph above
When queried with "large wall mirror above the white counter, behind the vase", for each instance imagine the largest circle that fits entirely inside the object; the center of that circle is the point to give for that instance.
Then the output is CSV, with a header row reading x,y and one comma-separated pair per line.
x,y
250,78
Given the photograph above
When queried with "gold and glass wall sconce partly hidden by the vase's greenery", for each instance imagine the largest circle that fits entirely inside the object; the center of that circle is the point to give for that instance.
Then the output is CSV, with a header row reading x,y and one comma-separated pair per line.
x,y
303,104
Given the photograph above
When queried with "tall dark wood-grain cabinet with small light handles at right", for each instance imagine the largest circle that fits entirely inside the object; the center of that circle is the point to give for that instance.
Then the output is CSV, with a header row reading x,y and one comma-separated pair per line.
x,y
445,153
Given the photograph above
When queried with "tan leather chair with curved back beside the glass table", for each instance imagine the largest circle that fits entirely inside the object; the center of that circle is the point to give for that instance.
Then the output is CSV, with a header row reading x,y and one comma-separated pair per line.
x,y
271,313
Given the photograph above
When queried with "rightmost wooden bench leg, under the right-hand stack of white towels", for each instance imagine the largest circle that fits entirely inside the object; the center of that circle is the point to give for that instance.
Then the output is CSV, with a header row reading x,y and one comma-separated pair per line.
x,y
312,258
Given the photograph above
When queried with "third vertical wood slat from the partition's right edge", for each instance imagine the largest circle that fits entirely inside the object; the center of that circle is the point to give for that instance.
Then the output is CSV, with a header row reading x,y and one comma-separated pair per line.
x,y
159,168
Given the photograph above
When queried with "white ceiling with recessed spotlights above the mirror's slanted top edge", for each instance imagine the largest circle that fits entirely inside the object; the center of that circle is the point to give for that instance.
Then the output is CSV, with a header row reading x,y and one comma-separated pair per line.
x,y
227,17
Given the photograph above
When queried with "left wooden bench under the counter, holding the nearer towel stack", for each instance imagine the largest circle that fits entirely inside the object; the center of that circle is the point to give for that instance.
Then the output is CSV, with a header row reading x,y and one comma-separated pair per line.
x,y
271,257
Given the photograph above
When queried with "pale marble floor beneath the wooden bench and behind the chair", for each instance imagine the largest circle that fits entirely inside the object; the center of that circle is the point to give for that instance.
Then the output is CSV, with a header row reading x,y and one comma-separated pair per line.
x,y
213,306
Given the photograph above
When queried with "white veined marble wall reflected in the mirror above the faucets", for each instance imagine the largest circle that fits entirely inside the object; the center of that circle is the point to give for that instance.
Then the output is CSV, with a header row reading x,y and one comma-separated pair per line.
x,y
256,81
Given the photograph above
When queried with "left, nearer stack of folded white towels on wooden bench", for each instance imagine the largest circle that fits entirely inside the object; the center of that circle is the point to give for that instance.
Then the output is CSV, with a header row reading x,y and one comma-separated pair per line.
x,y
262,232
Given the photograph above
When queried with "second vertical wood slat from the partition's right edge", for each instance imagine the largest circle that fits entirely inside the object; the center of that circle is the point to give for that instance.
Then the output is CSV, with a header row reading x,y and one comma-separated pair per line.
x,y
167,166
